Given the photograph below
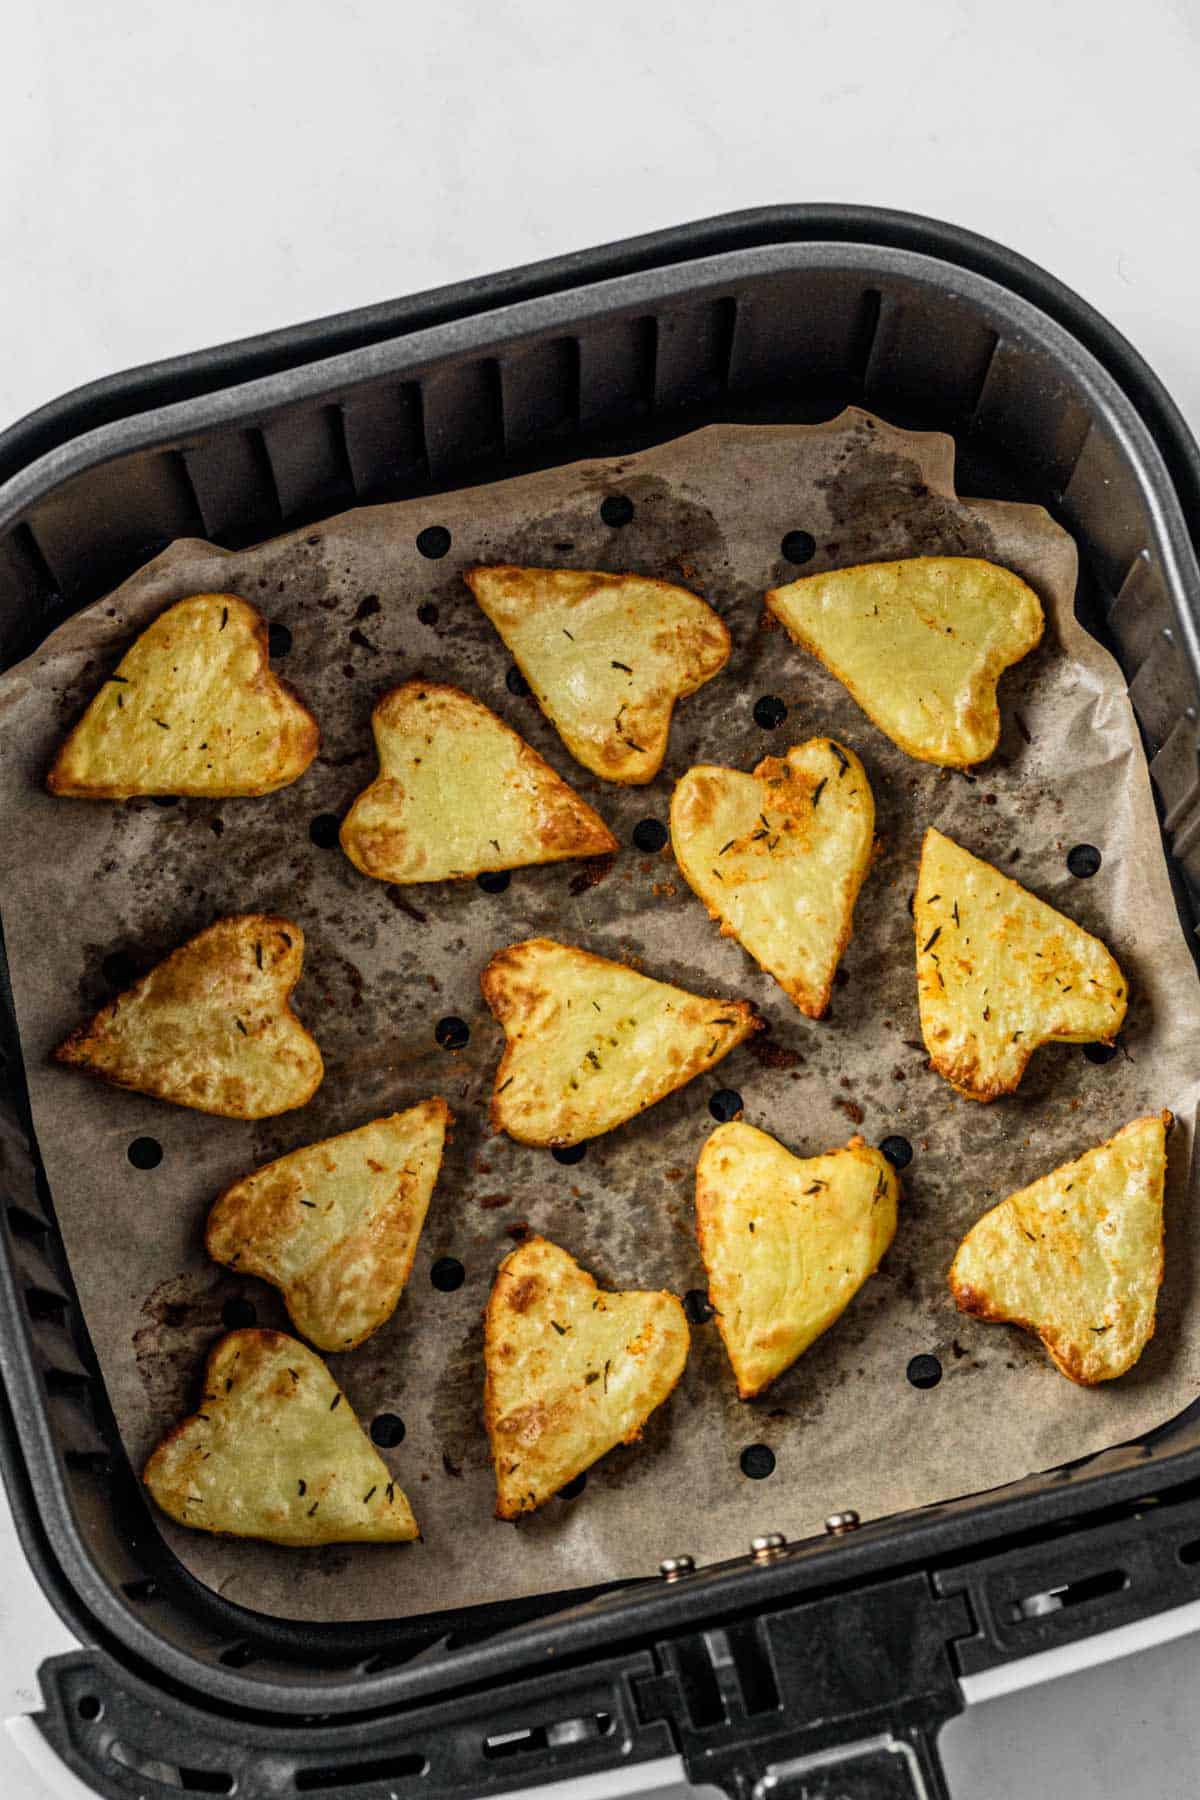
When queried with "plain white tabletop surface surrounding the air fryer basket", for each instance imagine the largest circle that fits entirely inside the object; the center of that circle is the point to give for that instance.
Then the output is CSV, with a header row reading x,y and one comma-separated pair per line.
x,y
175,177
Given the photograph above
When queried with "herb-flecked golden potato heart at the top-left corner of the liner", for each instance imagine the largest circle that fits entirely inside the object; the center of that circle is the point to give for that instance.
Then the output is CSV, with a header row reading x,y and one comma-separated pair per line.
x,y
193,708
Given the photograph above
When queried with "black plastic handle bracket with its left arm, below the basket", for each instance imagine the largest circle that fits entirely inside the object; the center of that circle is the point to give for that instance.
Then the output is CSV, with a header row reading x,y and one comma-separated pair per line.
x,y
839,1698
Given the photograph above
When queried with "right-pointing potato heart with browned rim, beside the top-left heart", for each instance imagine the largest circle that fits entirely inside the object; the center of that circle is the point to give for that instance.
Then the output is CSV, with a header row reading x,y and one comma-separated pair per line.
x,y
460,793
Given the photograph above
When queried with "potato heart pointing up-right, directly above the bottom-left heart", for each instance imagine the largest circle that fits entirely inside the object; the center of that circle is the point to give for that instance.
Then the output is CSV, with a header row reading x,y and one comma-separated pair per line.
x,y
336,1225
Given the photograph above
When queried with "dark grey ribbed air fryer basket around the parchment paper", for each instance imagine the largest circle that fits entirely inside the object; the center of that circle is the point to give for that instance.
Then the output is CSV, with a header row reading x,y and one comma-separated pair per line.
x,y
780,316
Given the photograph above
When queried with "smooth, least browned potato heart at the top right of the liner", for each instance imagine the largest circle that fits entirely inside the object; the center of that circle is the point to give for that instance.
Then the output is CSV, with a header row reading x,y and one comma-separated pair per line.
x,y
920,643
